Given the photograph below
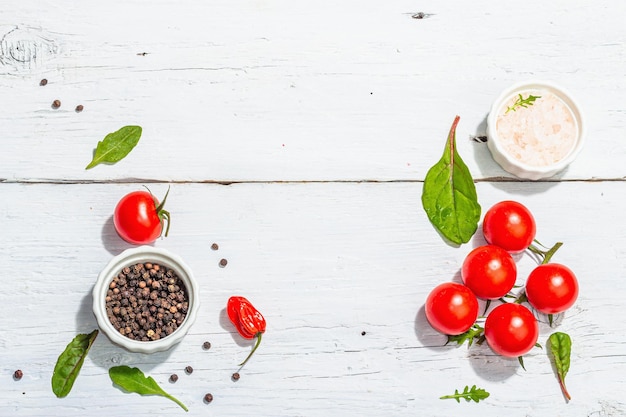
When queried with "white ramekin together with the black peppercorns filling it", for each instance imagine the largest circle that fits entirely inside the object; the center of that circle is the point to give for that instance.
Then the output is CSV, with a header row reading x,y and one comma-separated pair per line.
x,y
145,299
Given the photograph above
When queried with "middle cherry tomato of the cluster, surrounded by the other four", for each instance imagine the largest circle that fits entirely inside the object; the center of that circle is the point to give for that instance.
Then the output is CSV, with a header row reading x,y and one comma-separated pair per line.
x,y
489,271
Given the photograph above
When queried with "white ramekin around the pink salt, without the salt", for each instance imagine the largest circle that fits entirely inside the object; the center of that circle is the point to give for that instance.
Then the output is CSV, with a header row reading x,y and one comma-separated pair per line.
x,y
520,168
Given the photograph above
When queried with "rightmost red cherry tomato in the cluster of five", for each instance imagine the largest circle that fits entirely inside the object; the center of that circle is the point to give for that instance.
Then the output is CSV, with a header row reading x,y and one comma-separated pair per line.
x,y
551,288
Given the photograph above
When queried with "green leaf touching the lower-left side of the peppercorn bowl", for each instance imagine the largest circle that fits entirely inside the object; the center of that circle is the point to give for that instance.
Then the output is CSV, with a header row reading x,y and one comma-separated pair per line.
x,y
69,363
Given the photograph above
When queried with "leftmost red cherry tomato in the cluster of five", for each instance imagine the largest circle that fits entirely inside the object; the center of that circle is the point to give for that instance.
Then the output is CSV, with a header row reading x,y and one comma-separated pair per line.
x,y
451,308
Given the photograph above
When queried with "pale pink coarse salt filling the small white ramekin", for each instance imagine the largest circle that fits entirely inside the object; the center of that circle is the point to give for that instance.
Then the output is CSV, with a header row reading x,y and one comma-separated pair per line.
x,y
541,134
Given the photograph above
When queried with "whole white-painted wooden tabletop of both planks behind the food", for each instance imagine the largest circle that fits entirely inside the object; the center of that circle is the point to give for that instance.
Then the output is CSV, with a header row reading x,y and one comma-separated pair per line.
x,y
323,117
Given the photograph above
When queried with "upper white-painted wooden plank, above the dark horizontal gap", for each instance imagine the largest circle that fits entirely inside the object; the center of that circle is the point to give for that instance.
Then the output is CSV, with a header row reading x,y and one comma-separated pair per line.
x,y
276,90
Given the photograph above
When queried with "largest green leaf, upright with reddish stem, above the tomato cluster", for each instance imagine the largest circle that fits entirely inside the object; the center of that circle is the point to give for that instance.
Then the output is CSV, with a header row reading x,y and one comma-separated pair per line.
x,y
449,194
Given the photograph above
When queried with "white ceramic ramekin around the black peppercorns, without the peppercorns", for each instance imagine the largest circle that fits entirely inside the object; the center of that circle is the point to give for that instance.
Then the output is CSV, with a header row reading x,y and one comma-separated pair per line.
x,y
129,257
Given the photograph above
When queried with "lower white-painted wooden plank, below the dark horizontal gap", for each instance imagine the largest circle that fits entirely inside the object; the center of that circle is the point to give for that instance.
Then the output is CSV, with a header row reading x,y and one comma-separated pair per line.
x,y
324,262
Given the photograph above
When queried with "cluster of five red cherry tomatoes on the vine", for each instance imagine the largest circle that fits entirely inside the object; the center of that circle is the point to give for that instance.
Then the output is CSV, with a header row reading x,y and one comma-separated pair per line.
x,y
489,273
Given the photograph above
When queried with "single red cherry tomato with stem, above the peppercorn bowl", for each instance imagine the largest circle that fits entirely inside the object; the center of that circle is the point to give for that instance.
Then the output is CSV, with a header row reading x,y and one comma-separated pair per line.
x,y
139,218
